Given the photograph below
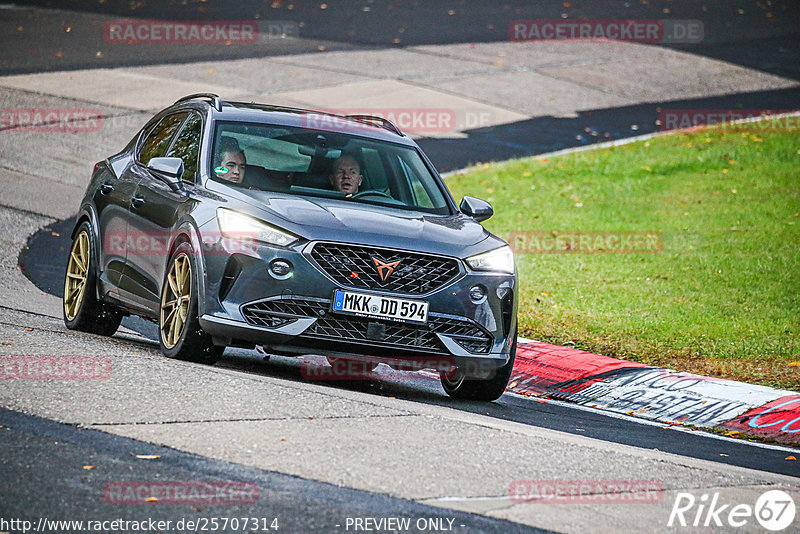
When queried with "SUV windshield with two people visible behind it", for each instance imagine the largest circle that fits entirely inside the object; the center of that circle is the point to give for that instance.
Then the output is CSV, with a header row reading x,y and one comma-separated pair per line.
x,y
317,163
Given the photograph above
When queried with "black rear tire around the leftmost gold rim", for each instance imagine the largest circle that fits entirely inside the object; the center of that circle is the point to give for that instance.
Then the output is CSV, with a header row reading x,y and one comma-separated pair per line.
x,y
80,308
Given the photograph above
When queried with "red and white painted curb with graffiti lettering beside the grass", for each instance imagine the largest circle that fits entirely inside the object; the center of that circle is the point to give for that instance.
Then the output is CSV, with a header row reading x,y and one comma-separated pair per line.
x,y
664,395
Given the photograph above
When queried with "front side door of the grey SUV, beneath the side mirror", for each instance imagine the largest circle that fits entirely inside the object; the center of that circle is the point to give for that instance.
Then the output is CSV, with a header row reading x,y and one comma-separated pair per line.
x,y
156,211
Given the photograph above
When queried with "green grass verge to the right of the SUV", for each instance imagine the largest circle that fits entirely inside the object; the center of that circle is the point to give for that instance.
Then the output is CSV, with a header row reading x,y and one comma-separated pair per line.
x,y
721,298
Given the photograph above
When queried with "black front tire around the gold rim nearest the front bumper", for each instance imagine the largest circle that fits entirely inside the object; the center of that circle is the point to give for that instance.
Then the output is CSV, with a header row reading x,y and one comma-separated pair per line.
x,y
192,344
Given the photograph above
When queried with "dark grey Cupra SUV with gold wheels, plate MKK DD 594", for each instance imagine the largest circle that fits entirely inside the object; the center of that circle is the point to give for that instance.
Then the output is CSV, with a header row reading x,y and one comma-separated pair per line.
x,y
236,224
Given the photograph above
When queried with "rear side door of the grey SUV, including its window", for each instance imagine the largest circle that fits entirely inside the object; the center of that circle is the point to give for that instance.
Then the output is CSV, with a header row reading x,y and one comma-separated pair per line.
x,y
138,240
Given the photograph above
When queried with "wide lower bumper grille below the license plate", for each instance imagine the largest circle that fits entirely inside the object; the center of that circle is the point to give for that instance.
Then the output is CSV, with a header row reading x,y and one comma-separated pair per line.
x,y
357,329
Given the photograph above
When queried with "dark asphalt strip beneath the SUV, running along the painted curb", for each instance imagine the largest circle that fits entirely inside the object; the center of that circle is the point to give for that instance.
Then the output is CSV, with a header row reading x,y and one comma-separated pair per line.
x,y
44,260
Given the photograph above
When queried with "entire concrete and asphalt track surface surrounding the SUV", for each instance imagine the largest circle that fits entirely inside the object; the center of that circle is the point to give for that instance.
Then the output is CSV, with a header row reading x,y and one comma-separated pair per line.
x,y
322,452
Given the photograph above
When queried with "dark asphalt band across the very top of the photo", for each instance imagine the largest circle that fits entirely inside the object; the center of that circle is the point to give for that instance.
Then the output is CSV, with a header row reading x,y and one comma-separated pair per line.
x,y
756,34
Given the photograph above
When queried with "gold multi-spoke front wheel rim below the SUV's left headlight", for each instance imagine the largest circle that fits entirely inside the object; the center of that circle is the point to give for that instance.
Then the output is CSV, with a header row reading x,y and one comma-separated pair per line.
x,y
175,300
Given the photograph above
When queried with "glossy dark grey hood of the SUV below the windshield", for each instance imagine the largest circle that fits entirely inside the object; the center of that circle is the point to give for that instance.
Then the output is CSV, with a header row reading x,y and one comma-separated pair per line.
x,y
337,220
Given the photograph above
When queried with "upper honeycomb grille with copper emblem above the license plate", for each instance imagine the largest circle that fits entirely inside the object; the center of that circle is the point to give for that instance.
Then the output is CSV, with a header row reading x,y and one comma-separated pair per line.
x,y
354,266
